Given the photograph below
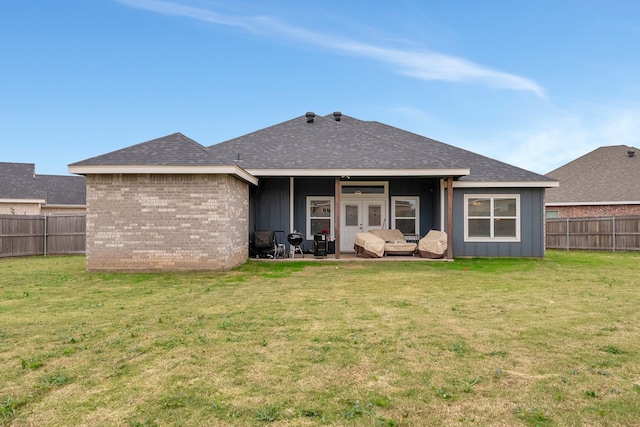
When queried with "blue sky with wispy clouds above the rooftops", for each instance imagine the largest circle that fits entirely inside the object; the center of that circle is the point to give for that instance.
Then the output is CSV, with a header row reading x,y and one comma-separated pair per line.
x,y
535,84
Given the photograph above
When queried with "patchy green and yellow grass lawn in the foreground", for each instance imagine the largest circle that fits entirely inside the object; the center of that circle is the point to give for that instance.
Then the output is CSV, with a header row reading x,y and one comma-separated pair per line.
x,y
486,342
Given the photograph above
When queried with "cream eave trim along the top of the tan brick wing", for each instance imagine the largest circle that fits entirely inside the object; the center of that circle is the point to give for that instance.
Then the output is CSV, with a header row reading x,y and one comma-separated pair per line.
x,y
165,170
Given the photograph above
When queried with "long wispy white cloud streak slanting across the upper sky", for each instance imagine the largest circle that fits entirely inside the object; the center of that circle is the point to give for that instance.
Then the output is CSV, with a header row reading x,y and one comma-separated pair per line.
x,y
422,65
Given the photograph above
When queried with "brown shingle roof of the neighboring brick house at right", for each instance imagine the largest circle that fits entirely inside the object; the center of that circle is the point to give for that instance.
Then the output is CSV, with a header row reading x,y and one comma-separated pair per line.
x,y
607,175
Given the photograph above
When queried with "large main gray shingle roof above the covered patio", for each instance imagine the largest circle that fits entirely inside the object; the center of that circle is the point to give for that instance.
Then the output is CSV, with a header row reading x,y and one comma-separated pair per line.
x,y
356,144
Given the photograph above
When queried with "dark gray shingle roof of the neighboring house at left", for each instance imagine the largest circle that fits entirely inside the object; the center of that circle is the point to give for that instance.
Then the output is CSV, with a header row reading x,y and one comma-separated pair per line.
x,y
19,182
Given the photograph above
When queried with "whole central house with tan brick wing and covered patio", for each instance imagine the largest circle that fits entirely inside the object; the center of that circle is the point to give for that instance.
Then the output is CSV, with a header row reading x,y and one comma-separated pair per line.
x,y
171,203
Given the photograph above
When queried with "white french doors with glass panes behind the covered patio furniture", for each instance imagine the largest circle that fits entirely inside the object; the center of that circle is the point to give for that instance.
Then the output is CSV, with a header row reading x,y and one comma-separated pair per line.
x,y
360,215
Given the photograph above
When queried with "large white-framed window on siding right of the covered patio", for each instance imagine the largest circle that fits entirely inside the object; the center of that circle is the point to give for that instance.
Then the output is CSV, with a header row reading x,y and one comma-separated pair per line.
x,y
492,218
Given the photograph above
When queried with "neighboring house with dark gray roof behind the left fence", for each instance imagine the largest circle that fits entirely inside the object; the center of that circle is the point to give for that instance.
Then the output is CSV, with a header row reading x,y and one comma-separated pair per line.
x,y
23,192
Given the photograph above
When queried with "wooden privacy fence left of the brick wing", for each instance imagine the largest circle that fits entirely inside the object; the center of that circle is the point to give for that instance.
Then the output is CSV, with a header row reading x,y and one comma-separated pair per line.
x,y
22,235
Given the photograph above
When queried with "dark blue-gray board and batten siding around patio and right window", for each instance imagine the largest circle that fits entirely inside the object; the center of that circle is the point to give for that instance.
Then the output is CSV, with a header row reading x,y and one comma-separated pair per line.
x,y
270,211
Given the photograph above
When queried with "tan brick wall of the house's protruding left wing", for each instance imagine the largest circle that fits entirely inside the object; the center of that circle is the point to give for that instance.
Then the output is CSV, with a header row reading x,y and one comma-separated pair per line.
x,y
166,222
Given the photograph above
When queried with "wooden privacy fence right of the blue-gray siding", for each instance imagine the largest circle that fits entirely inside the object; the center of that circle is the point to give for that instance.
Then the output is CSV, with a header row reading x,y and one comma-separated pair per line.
x,y
605,234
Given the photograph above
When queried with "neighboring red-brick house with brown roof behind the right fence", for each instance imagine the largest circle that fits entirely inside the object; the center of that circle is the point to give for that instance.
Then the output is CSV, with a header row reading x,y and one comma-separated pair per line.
x,y
604,182
